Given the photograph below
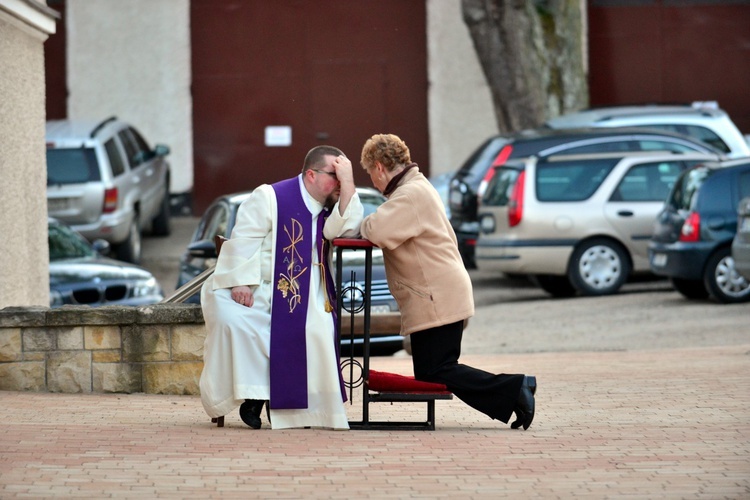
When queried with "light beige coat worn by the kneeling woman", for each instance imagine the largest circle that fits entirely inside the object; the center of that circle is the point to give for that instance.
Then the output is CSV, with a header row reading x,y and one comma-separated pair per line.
x,y
424,269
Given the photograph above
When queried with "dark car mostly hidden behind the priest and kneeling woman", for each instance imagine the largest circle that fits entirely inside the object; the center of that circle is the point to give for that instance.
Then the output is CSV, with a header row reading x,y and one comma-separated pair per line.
x,y
219,219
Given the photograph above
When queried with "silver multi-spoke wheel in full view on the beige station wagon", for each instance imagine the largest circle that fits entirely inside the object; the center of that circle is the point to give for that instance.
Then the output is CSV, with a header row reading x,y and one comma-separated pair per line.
x,y
598,267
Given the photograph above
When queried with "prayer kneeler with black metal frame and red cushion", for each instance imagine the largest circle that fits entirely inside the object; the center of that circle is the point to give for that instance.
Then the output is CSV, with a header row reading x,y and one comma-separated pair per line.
x,y
382,387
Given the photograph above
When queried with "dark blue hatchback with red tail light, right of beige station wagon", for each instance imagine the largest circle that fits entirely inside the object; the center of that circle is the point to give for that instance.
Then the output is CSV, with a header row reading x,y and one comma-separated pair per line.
x,y
692,239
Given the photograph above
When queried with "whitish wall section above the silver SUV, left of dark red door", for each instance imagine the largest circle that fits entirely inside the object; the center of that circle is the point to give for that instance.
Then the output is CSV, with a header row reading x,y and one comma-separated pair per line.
x,y
132,59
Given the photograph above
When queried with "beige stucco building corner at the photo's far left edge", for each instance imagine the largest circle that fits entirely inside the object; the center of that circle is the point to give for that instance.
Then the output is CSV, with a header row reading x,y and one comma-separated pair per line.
x,y
24,258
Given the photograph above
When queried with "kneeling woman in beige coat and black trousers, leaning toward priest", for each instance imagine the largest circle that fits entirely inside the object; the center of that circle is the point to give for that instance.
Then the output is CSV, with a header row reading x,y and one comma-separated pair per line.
x,y
429,281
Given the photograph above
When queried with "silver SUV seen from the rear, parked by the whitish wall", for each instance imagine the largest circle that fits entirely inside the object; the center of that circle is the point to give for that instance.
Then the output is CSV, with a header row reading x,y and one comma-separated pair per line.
x,y
107,183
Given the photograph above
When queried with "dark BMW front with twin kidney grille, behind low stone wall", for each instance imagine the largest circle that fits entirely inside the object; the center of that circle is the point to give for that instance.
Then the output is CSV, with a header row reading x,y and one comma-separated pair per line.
x,y
80,275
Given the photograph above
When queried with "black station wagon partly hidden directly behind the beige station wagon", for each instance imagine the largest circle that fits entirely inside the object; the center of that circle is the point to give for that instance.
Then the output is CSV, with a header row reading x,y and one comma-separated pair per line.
x,y
470,181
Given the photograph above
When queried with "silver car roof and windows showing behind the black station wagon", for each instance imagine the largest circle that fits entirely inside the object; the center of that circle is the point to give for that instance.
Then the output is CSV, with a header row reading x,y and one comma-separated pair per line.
x,y
701,120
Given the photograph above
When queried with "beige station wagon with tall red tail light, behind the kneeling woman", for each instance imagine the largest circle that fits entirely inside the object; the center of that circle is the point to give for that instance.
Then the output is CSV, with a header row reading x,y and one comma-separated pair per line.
x,y
576,223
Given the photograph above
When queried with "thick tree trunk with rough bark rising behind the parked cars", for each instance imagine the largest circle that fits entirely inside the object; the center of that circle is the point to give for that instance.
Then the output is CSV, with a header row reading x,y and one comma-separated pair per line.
x,y
532,55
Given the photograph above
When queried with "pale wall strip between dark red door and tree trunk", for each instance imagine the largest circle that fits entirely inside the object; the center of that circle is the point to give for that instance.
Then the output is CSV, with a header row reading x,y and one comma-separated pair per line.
x,y
460,107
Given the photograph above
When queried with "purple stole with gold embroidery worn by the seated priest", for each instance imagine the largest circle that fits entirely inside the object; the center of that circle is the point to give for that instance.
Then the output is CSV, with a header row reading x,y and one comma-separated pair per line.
x,y
290,299
